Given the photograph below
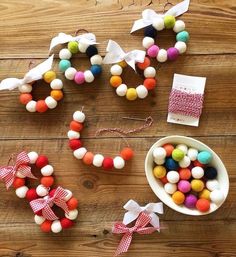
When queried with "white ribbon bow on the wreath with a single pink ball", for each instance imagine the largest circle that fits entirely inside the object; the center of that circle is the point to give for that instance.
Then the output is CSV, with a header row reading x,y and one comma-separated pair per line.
x,y
62,38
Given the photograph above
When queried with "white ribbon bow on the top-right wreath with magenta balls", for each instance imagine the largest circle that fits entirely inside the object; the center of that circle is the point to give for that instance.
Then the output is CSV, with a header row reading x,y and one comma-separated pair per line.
x,y
149,15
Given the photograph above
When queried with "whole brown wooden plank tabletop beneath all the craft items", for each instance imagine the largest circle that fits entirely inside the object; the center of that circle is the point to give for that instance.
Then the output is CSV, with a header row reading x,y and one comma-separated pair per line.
x,y
26,28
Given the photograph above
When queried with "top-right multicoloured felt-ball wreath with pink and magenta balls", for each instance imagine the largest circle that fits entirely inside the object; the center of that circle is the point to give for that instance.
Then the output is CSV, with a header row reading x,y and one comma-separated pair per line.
x,y
172,53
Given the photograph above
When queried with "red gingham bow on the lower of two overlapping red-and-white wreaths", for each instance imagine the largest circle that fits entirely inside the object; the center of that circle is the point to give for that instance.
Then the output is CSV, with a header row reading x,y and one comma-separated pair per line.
x,y
45,204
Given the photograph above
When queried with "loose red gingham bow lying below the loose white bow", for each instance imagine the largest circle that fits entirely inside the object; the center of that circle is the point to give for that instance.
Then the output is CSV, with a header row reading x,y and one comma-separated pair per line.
x,y
139,227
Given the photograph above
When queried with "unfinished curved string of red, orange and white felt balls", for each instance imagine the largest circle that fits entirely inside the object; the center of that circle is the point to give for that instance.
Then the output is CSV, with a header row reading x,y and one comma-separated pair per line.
x,y
89,158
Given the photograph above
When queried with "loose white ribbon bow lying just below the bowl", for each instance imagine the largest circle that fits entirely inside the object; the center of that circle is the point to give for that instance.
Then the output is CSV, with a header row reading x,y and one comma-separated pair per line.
x,y
133,211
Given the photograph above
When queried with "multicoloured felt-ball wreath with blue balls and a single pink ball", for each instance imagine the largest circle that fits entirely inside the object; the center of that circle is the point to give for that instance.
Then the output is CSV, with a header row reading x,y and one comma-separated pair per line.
x,y
78,76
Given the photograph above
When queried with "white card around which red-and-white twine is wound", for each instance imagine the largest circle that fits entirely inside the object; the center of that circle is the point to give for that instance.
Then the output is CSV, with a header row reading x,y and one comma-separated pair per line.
x,y
190,85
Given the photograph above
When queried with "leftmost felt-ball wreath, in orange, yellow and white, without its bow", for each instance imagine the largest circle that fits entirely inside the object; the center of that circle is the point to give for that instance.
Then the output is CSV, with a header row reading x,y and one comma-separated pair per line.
x,y
42,105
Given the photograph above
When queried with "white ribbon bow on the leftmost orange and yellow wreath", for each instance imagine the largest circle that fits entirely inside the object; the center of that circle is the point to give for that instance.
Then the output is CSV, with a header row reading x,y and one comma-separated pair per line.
x,y
32,75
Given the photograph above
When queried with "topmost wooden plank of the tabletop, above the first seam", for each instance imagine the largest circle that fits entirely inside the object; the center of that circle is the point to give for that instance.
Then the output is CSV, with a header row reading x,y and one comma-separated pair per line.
x,y
110,19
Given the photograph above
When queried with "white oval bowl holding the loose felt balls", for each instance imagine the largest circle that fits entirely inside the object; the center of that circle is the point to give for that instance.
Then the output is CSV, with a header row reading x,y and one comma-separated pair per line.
x,y
157,185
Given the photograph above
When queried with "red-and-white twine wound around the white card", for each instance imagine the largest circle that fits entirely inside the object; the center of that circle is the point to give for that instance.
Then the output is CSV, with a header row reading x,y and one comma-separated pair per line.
x,y
186,104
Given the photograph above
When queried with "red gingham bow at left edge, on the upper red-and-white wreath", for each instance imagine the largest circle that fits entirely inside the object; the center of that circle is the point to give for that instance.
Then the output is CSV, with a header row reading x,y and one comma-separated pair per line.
x,y
21,165
